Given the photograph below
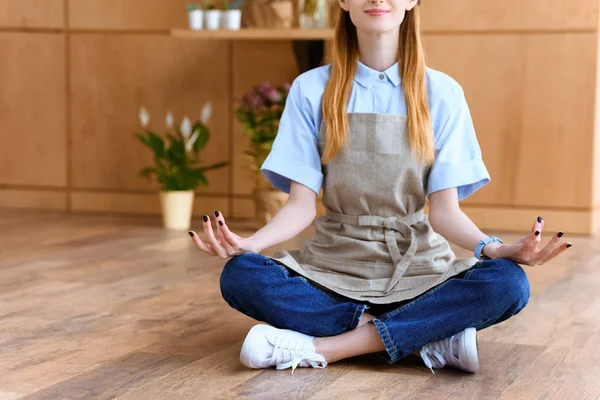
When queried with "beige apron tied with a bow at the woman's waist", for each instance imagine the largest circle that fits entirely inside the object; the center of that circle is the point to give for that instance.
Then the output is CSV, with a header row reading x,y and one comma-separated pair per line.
x,y
375,242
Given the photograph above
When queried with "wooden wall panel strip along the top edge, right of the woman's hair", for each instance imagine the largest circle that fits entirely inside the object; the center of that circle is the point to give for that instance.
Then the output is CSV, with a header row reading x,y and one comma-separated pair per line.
x,y
478,15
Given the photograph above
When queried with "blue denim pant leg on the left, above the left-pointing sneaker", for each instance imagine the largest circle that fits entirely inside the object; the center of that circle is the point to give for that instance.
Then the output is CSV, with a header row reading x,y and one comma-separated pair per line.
x,y
267,291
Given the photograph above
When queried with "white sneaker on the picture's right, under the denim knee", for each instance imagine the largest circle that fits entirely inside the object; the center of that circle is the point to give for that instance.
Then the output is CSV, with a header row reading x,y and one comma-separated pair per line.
x,y
459,351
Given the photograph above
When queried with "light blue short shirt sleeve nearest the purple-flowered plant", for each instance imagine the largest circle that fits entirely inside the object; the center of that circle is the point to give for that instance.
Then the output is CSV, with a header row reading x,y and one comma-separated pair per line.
x,y
294,155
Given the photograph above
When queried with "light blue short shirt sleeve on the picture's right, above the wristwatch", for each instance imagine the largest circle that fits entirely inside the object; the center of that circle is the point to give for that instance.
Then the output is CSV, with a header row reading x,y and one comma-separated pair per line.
x,y
458,160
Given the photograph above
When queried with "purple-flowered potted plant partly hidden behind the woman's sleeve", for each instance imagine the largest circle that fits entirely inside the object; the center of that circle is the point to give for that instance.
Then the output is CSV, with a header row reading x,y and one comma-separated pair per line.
x,y
259,112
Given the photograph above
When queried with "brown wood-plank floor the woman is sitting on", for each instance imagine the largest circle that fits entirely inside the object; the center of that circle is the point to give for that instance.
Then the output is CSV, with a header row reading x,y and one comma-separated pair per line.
x,y
104,307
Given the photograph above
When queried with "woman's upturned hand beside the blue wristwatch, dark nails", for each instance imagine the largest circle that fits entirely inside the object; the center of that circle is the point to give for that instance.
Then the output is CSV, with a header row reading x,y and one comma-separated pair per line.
x,y
525,251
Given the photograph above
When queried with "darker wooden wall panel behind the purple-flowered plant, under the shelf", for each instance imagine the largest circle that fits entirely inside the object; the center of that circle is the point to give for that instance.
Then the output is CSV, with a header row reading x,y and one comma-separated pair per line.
x,y
273,61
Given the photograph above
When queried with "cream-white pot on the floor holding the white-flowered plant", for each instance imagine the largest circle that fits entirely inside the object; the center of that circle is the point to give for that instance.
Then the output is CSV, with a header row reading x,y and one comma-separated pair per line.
x,y
177,209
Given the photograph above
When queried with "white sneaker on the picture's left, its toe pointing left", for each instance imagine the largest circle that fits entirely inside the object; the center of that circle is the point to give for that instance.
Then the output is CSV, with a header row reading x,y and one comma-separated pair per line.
x,y
266,346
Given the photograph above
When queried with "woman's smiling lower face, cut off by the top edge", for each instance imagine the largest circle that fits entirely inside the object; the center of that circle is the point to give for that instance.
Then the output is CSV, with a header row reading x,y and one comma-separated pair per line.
x,y
377,16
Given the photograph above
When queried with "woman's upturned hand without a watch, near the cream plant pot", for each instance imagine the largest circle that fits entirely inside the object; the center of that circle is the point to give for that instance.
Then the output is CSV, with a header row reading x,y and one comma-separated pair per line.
x,y
226,243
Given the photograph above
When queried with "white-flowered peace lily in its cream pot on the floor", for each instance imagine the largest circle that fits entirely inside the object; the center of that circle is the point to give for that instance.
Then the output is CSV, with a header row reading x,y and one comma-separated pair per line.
x,y
175,165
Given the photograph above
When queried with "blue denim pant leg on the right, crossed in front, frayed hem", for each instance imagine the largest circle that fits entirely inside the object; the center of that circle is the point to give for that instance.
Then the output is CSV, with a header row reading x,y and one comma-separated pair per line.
x,y
486,294
